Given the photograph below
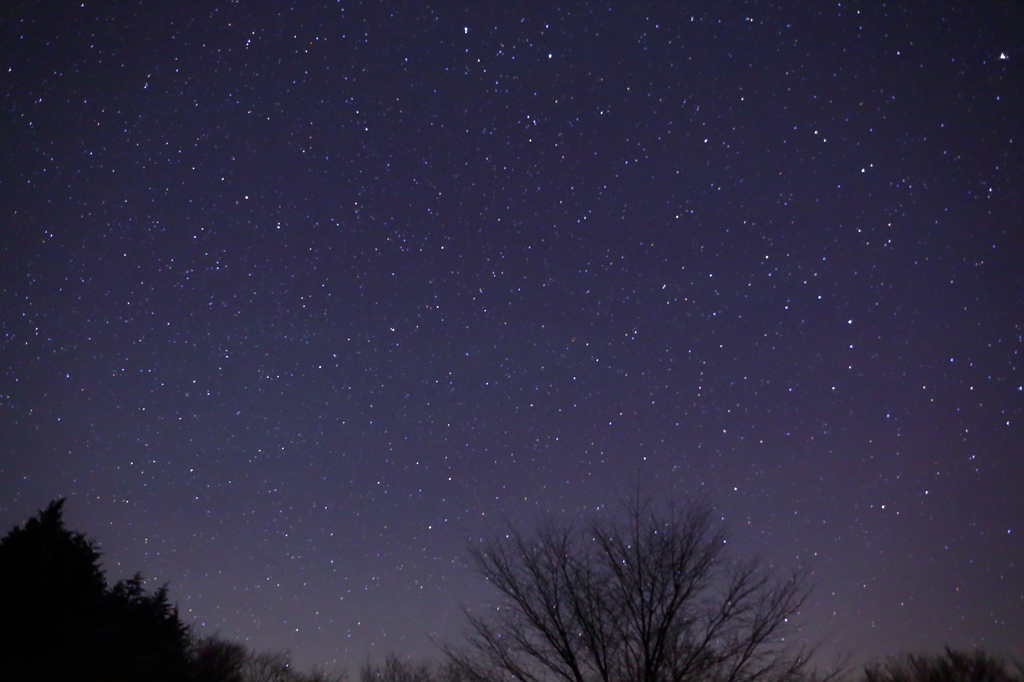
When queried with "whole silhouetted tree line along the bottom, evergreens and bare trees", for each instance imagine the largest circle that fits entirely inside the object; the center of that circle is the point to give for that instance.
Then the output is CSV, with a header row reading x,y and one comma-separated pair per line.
x,y
646,593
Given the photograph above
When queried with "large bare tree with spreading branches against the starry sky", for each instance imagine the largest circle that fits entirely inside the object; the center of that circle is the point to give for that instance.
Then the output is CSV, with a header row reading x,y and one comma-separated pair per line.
x,y
648,595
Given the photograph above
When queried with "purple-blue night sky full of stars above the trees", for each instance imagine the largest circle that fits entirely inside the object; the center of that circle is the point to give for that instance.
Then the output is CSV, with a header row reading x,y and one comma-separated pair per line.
x,y
298,299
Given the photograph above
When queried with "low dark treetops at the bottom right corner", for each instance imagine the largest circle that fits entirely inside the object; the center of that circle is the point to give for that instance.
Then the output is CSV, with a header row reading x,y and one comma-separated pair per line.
x,y
951,666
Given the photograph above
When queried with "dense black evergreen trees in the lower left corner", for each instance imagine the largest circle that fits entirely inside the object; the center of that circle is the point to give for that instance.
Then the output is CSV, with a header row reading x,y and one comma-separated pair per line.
x,y
61,621
